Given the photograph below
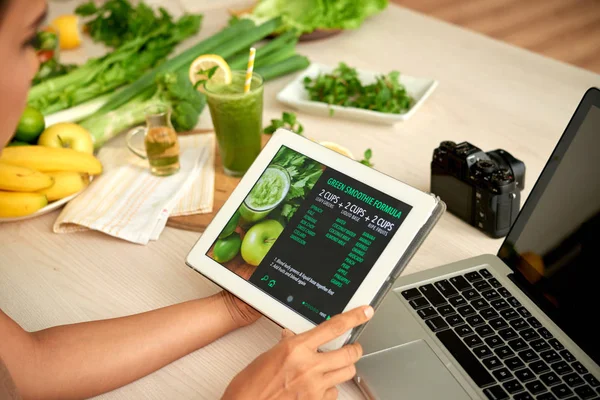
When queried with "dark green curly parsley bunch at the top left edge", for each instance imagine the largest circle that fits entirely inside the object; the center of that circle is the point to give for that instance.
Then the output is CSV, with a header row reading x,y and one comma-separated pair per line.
x,y
118,21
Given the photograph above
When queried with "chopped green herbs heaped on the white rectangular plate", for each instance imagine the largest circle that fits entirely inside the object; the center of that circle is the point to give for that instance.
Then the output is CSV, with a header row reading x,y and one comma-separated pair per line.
x,y
344,88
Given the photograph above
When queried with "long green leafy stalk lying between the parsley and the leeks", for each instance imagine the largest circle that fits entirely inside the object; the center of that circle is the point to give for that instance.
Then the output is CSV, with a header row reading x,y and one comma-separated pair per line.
x,y
107,73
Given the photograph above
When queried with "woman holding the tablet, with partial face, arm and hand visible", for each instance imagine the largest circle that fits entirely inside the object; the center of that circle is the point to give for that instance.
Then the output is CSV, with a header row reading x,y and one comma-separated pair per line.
x,y
86,359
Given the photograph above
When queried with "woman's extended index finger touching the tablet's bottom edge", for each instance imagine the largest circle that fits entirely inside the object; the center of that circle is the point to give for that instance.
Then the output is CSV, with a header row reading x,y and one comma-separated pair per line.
x,y
337,326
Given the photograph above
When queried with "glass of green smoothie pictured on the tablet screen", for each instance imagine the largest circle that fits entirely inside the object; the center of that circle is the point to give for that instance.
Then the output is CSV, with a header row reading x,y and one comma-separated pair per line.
x,y
270,190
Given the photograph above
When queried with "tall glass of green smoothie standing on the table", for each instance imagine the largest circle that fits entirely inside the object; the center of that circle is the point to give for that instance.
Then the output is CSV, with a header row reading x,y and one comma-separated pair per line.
x,y
237,118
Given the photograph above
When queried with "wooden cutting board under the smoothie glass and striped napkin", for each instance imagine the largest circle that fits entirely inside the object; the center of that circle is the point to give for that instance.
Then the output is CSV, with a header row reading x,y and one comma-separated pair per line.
x,y
224,185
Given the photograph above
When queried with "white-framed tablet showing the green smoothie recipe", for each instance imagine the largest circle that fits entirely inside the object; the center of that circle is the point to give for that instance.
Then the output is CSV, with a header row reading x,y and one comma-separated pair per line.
x,y
309,233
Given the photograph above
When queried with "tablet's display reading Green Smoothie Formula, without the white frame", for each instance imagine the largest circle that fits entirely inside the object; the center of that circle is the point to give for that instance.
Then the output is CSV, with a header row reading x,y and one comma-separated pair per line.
x,y
308,235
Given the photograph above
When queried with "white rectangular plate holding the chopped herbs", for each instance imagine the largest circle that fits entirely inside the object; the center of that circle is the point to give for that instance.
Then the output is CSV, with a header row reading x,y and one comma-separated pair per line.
x,y
296,96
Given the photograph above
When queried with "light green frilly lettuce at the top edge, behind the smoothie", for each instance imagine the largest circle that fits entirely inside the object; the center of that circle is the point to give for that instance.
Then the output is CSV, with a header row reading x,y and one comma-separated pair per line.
x,y
305,16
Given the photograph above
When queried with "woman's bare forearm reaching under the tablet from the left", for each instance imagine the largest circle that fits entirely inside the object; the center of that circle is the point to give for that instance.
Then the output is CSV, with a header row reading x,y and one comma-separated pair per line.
x,y
86,359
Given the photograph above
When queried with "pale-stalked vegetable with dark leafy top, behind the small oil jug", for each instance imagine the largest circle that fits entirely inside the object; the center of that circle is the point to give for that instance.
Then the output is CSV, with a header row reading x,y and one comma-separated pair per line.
x,y
172,89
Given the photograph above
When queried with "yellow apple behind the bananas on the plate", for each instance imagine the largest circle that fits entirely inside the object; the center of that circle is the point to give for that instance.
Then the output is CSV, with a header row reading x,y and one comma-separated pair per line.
x,y
69,135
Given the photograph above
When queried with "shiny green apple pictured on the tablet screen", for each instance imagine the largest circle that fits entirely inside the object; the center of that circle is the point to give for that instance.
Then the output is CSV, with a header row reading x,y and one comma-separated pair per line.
x,y
259,239
